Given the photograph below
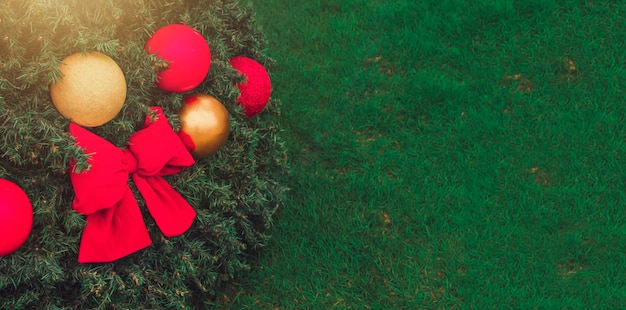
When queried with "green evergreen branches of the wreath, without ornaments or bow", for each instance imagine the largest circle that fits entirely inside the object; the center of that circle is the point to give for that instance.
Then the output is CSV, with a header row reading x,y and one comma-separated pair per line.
x,y
234,191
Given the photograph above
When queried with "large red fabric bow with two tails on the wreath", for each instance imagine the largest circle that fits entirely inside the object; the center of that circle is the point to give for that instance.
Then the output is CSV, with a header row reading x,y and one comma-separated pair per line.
x,y
115,226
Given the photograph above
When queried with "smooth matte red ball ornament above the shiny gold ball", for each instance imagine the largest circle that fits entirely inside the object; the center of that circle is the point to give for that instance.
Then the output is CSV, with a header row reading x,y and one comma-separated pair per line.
x,y
188,55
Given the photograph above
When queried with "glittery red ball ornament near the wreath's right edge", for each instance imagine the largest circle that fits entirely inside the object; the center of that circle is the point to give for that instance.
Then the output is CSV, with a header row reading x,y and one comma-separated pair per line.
x,y
256,89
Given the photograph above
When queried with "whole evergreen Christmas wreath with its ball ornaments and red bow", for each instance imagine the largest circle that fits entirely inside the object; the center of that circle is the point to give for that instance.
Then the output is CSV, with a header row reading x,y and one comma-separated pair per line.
x,y
140,160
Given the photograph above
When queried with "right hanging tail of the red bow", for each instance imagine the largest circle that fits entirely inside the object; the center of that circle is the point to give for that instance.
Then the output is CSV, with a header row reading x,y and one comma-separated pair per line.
x,y
171,212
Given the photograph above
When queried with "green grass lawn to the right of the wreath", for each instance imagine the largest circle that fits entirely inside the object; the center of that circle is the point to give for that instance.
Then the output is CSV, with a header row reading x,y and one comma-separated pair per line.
x,y
447,154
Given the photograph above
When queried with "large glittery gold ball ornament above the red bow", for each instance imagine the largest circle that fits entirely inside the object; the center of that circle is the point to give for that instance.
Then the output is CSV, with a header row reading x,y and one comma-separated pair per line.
x,y
92,89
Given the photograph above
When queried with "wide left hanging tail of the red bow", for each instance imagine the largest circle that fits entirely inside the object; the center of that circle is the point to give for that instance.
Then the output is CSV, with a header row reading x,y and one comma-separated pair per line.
x,y
114,233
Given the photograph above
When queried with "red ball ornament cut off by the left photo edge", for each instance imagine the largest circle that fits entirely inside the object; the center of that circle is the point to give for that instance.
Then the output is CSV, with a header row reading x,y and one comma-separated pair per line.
x,y
16,217
